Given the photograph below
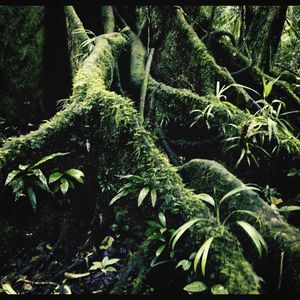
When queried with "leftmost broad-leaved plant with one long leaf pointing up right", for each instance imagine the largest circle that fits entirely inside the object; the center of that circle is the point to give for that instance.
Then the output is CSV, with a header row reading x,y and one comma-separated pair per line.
x,y
23,179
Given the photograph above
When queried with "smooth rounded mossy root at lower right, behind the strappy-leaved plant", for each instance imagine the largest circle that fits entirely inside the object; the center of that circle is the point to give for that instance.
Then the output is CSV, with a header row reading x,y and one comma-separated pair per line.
x,y
201,175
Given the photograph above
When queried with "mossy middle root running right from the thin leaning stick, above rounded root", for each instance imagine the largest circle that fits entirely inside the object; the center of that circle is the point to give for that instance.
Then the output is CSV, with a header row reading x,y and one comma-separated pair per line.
x,y
201,141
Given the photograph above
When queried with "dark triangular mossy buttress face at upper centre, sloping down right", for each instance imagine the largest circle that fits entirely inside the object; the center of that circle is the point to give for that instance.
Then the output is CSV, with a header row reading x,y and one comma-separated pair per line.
x,y
183,61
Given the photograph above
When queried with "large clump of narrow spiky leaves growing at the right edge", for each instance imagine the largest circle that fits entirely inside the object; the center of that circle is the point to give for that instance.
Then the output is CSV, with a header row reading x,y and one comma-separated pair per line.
x,y
268,122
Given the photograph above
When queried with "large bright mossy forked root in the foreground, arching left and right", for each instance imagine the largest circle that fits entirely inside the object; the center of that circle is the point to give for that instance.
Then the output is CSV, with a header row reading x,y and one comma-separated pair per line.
x,y
109,122
